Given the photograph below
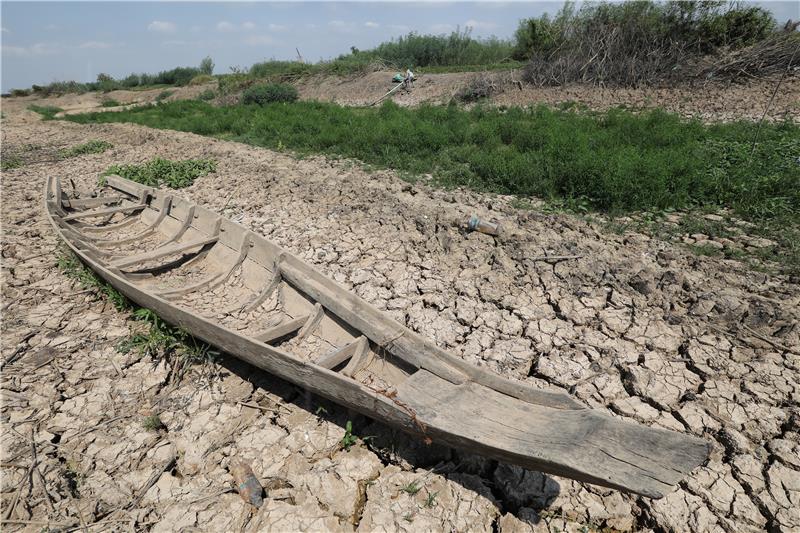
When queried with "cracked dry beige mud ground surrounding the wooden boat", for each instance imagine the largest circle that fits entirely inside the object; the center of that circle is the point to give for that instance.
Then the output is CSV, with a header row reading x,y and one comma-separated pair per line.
x,y
637,327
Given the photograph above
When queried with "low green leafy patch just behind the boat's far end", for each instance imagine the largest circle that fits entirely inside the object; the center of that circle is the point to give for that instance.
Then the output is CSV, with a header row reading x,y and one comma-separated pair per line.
x,y
160,172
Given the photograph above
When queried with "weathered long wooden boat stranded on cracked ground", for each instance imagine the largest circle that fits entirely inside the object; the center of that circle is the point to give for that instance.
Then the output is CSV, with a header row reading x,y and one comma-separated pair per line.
x,y
240,292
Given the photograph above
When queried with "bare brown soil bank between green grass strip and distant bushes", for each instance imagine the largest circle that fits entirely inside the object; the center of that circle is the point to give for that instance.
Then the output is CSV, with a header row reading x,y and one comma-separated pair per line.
x,y
710,101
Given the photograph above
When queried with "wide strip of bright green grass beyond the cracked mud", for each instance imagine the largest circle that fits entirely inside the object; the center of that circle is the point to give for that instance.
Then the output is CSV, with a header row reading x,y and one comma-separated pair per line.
x,y
616,161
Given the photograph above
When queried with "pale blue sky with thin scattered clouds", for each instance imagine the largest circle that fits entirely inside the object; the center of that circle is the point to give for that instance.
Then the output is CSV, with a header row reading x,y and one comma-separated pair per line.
x,y
48,41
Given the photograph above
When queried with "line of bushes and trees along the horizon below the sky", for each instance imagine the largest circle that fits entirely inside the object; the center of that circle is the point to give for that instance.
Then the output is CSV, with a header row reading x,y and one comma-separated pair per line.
x,y
627,43
